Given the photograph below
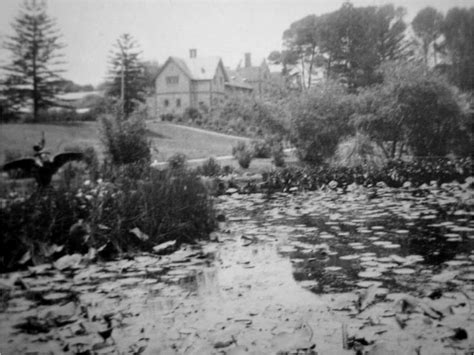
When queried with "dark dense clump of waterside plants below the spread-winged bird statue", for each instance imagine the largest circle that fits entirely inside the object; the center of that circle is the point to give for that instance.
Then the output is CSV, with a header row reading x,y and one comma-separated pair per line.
x,y
161,204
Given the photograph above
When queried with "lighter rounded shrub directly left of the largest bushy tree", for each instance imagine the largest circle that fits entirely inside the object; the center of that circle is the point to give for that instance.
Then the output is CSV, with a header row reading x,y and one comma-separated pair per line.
x,y
320,118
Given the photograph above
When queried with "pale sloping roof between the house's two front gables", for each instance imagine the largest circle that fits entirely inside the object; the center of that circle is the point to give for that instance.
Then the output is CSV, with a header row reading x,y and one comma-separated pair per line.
x,y
201,68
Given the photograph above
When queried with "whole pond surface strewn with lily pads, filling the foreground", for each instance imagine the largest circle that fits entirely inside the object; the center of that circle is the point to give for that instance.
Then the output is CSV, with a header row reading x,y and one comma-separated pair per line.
x,y
318,272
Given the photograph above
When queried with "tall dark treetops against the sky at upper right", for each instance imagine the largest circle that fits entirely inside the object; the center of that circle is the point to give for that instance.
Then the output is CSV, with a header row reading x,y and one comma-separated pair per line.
x,y
351,43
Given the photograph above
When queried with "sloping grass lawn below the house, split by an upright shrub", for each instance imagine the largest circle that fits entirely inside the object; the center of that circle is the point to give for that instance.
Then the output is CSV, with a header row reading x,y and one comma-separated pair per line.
x,y
167,139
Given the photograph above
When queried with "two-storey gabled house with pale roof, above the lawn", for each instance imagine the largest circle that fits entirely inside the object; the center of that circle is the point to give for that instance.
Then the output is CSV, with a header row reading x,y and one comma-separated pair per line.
x,y
195,82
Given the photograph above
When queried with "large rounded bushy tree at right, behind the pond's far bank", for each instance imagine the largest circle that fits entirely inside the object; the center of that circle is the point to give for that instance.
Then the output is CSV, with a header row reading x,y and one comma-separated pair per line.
x,y
413,109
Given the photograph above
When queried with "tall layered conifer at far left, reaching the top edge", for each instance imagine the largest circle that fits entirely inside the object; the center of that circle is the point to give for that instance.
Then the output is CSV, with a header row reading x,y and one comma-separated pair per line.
x,y
35,61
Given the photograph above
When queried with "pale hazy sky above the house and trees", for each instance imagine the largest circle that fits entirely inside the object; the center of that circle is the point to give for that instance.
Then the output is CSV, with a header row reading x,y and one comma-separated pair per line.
x,y
163,28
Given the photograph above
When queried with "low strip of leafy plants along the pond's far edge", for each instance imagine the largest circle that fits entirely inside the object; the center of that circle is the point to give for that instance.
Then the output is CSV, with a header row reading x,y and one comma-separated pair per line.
x,y
394,174
